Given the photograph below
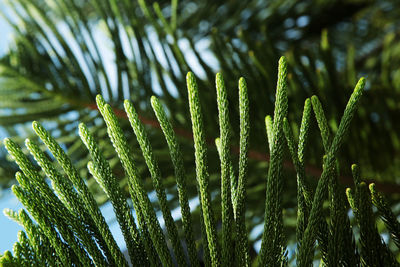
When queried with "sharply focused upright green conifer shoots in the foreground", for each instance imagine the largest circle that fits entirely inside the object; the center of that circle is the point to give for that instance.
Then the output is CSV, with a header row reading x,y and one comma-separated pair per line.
x,y
65,226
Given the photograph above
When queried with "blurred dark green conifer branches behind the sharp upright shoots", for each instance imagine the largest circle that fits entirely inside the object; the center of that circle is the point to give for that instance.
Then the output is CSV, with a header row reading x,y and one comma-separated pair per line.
x,y
65,52
